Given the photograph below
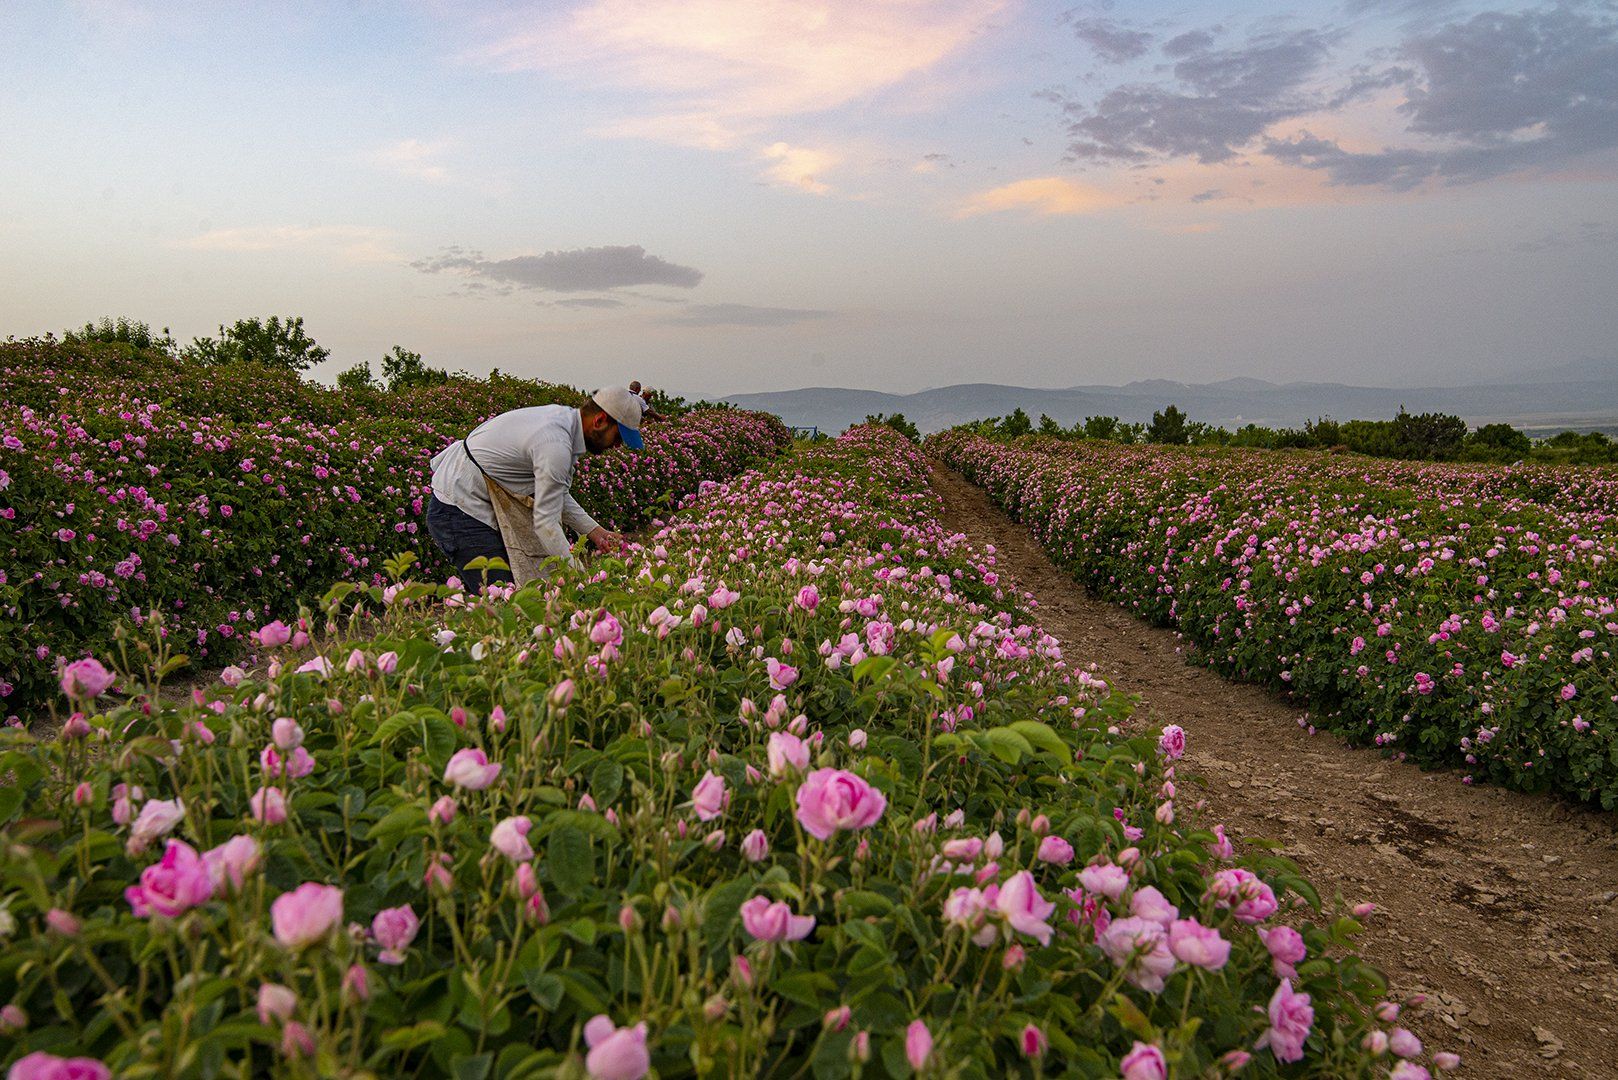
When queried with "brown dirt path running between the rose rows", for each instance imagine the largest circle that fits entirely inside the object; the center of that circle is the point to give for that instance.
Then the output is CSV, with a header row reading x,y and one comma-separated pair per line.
x,y
1501,908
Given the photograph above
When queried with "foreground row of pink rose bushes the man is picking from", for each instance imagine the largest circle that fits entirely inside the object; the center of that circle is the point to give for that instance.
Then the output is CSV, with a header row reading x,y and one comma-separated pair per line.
x,y
577,830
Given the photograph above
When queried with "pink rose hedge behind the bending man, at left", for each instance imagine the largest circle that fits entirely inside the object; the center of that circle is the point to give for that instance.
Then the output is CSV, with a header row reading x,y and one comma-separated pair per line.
x,y
135,485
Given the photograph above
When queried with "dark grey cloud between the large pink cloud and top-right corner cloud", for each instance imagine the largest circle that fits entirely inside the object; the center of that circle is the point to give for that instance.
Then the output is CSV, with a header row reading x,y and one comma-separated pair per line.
x,y
1222,101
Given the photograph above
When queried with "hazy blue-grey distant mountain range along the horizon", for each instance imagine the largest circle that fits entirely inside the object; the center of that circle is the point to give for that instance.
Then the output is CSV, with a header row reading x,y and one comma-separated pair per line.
x,y
1582,396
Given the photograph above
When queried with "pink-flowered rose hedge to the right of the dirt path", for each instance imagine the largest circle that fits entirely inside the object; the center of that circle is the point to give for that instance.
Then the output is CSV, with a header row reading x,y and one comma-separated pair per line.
x,y
1455,614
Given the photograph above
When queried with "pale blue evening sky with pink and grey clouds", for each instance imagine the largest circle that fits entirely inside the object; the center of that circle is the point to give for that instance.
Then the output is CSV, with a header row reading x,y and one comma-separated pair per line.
x,y
724,197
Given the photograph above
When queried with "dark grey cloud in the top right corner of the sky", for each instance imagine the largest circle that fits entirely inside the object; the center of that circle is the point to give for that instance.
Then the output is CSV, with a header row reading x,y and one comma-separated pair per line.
x,y
1499,93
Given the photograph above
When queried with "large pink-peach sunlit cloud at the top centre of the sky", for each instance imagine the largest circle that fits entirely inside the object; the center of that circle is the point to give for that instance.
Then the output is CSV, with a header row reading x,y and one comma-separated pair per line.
x,y
711,72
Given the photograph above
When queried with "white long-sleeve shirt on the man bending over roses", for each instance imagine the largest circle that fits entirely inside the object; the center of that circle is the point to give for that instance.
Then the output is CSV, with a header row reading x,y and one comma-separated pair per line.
x,y
530,453
